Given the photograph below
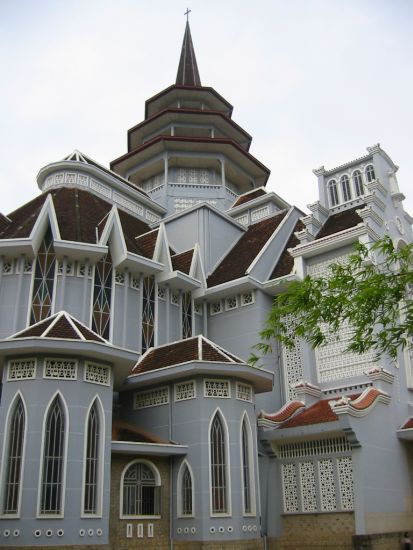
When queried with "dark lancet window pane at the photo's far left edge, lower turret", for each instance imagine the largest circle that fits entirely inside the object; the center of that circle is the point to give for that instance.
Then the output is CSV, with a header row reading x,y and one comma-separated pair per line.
x,y
14,458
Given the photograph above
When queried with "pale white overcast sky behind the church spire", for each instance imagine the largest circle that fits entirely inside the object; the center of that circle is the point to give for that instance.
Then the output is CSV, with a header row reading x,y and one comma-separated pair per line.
x,y
313,81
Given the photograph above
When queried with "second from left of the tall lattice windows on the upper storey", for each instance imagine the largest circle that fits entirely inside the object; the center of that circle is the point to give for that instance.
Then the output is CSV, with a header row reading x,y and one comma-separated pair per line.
x,y
102,296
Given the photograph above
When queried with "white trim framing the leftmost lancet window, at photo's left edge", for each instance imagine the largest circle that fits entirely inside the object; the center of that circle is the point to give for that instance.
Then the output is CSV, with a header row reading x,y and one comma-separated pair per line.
x,y
3,468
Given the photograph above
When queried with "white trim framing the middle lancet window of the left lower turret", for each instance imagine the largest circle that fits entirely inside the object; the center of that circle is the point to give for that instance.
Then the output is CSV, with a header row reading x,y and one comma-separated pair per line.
x,y
39,515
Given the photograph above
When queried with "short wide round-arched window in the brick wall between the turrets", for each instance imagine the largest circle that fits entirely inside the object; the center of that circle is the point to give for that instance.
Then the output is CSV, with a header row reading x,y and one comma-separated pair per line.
x,y
141,490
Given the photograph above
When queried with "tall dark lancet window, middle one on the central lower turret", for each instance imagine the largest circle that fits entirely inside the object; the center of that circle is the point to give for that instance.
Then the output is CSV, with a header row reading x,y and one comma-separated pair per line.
x,y
219,482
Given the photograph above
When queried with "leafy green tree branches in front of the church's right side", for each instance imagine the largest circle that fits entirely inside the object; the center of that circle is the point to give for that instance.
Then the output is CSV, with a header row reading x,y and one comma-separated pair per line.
x,y
373,297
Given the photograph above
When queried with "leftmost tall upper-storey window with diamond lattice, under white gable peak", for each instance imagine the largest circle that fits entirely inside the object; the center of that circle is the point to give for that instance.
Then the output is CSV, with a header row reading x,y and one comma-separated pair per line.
x,y
43,280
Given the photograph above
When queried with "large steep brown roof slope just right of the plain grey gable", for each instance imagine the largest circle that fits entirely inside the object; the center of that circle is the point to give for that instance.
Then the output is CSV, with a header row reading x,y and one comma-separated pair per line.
x,y
240,257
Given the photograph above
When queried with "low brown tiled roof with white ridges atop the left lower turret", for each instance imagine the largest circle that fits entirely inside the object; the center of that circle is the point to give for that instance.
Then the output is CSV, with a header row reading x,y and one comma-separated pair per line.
x,y
60,325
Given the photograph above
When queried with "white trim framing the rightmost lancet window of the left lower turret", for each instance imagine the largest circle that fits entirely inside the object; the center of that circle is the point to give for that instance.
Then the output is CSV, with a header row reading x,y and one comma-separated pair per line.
x,y
101,454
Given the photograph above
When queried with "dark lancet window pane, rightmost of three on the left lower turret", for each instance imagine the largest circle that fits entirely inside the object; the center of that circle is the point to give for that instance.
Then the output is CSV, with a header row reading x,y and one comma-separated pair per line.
x,y
92,458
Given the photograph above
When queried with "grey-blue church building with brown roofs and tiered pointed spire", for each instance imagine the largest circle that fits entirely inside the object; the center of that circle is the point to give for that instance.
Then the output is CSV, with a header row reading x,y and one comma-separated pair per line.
x,y
130,300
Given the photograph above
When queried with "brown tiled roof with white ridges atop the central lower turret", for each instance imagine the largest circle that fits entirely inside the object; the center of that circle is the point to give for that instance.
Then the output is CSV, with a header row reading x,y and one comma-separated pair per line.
x,y
197,348
